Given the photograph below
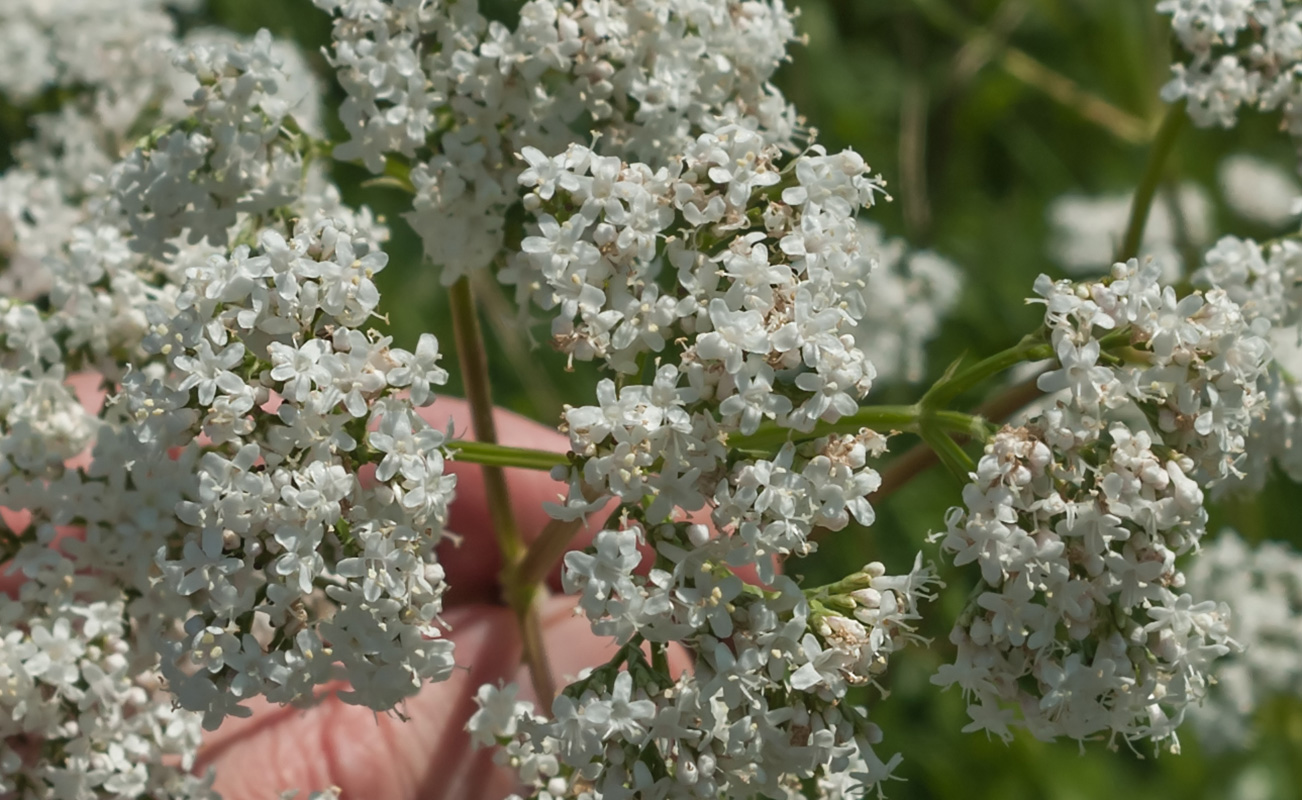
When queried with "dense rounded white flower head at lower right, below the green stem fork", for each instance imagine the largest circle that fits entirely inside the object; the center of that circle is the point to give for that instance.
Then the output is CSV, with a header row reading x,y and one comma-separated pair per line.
x,y
1077,548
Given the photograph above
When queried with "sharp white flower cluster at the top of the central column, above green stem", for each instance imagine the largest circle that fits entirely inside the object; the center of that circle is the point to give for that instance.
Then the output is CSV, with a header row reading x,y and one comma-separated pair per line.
x,y
756,270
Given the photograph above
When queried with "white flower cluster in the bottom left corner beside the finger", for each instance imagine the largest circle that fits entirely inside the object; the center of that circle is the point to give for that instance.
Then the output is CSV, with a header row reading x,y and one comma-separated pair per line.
x,y
72,699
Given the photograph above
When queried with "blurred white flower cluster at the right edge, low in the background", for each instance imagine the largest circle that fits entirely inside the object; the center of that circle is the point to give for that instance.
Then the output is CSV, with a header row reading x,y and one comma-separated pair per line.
x,y
1265,587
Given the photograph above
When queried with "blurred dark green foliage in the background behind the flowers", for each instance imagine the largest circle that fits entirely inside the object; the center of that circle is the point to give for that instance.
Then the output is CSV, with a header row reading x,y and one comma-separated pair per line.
x,y
968,109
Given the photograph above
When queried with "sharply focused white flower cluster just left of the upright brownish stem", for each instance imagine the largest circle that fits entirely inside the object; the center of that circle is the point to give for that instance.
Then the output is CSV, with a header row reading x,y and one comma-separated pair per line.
x,y
277,519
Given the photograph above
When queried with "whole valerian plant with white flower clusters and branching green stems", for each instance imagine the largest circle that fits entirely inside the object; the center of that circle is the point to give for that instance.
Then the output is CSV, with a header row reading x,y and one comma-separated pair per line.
x,y
258,501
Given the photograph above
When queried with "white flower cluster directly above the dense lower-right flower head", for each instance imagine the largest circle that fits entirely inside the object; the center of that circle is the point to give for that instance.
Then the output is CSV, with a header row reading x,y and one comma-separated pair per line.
x,y
1189,372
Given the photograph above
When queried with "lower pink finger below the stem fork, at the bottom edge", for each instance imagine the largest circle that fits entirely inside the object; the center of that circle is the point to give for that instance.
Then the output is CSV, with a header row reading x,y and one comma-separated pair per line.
x,y
428,756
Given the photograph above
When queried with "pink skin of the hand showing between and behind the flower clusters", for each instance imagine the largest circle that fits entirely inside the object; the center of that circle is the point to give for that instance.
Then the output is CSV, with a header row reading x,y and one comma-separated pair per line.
x,y
378,756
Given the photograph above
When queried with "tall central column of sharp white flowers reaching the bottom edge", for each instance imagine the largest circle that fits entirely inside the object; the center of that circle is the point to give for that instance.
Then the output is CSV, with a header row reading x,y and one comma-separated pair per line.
x,y
743,282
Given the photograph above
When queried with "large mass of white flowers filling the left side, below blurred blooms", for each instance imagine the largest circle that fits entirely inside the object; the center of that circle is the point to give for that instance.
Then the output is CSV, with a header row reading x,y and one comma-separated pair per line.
x,y
230,543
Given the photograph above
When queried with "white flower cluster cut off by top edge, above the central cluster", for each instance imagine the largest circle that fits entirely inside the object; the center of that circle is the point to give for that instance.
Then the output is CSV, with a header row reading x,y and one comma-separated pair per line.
x,y
459,96
